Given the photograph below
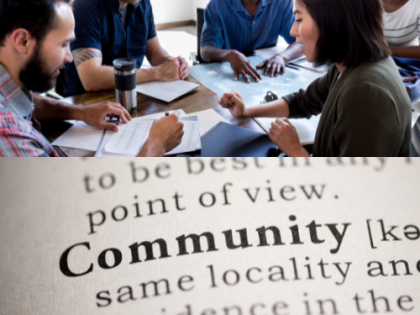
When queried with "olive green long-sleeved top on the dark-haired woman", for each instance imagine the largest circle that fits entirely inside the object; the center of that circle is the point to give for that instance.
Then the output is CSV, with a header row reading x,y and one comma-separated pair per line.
x,y
365,112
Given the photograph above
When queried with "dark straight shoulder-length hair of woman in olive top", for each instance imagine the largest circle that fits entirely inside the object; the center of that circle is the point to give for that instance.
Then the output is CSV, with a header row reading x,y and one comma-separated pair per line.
x,y
350,31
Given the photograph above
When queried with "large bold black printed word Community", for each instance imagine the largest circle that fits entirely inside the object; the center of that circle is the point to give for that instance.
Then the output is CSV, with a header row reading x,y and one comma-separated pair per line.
x,y
264,234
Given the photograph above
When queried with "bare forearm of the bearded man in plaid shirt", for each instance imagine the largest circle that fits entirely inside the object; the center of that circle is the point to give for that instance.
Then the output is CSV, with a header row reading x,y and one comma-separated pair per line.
x,y
50,109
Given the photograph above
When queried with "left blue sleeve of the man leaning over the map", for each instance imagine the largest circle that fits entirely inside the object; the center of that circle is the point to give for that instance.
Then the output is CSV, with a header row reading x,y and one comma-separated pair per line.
x,y
213,29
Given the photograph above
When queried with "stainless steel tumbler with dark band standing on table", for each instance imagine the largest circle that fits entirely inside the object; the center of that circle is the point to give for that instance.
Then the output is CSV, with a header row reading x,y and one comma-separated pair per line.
x,y
125,83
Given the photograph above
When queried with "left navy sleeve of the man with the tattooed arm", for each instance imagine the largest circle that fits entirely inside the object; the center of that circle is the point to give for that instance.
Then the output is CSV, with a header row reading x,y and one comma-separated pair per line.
x,y
87,15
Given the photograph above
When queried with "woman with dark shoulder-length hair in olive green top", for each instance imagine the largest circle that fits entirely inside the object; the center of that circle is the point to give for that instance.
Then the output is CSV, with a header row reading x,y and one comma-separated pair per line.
x,y
365,108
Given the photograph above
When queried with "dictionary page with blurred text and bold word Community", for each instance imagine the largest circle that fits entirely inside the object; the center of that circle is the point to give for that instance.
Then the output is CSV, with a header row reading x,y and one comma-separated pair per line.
x,y
210,236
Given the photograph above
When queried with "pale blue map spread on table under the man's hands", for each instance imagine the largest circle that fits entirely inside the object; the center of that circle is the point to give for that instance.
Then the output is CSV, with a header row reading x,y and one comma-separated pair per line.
x,y
218,77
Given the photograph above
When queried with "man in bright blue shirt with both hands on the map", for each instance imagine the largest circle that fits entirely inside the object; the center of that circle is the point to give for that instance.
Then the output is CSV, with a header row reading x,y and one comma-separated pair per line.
x,y
233,28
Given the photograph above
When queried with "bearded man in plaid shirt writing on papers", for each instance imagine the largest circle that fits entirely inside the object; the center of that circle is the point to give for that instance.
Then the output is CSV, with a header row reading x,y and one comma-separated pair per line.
x,y
34,46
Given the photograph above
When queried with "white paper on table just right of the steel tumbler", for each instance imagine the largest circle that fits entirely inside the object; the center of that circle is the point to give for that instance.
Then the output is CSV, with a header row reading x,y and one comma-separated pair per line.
x,y
167,91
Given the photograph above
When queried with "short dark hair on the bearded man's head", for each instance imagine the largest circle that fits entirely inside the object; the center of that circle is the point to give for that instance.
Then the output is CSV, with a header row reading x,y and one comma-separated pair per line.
x,y
36,16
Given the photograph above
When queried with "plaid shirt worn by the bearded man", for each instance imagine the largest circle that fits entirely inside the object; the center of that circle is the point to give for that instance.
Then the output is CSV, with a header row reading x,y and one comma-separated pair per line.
x,y
20,132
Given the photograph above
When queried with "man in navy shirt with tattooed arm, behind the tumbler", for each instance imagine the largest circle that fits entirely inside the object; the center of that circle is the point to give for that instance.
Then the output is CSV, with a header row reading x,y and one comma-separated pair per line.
x,y
111,29
